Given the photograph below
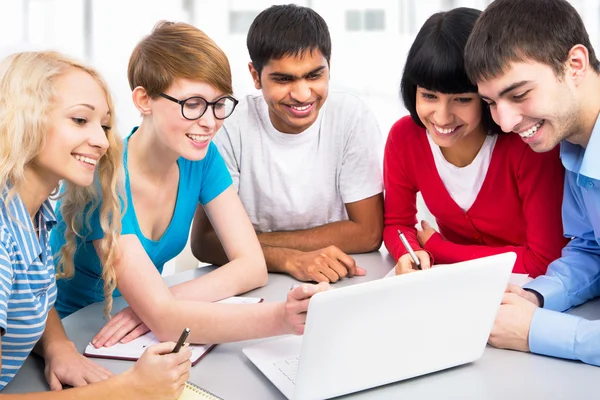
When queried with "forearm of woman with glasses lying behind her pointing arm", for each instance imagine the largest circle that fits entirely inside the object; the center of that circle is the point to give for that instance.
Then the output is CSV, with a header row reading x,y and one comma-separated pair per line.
x,y
238,276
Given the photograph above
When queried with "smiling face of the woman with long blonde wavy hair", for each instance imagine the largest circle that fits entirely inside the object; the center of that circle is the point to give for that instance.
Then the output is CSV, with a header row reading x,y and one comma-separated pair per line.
x,y
76,137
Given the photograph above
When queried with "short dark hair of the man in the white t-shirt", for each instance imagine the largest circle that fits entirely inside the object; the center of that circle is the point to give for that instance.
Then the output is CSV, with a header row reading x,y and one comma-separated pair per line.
x,y
286,30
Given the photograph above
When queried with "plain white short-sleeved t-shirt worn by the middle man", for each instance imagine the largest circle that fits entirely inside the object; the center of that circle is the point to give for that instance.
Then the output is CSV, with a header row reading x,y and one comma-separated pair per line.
x,y
299,181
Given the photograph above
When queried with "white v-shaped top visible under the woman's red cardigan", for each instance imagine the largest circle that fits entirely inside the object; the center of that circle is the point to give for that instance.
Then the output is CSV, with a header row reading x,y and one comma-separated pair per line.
x,y
464,183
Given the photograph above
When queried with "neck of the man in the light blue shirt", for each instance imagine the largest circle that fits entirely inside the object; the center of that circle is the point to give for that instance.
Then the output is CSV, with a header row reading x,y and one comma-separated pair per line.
x,y
588,113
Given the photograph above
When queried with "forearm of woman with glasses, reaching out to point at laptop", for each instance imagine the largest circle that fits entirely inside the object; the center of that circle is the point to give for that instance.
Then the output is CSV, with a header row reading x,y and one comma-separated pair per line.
x,y
216,322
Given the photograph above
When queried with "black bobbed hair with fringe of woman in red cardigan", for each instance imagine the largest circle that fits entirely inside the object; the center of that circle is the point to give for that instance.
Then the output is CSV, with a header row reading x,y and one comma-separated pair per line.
x,y
435,61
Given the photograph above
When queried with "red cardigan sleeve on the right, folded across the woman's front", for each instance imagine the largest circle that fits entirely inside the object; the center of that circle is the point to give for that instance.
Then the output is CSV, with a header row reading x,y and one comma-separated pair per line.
x,y
540,186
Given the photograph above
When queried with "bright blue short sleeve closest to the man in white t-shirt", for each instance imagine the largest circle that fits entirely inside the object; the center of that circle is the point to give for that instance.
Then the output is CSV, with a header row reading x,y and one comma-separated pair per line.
x,y
215,176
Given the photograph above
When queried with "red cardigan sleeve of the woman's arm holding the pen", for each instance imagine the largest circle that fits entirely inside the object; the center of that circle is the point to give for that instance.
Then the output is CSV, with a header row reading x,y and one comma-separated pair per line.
x,y
400,202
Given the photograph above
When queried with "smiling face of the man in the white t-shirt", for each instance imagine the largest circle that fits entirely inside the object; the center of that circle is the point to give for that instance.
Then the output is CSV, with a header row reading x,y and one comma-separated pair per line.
x,y
294,88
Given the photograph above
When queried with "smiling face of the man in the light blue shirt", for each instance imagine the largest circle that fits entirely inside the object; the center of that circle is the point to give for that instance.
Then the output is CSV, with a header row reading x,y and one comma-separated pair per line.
x,y
529,99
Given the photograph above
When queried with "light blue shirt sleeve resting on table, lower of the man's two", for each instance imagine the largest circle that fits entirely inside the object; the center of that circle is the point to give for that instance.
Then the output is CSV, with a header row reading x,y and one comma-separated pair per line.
x,y
566,336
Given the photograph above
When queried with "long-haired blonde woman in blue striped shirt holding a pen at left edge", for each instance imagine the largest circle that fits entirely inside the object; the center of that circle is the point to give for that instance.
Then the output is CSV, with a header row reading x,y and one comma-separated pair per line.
x,y
55,125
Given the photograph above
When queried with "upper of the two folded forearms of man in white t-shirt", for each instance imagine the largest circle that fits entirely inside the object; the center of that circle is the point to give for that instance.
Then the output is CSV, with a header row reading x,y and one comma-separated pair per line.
x,y
348,236
